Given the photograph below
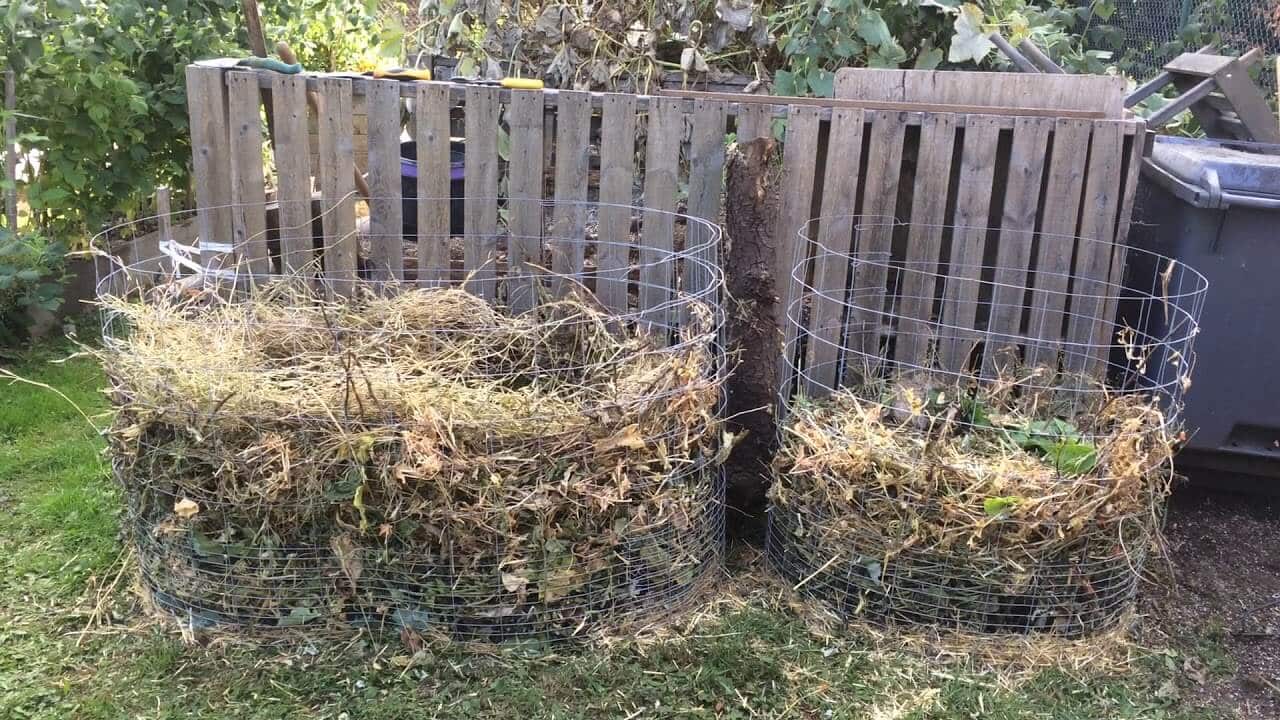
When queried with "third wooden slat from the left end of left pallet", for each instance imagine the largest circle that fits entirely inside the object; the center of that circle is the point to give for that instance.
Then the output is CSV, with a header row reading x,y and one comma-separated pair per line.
x,y
290,147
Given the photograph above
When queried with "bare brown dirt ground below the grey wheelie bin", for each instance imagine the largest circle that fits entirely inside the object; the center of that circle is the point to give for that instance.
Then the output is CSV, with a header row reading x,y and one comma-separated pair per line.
x,y
1226,552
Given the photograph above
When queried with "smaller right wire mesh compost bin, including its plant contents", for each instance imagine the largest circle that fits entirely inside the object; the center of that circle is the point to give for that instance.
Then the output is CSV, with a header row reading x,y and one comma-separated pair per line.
x,y
979,436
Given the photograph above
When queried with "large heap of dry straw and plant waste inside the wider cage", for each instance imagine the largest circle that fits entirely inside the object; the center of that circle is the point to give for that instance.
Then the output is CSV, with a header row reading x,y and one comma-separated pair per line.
x,y
414,459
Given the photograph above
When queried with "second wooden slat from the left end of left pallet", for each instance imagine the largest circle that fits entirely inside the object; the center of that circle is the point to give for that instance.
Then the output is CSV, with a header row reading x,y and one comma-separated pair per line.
x,y
249,185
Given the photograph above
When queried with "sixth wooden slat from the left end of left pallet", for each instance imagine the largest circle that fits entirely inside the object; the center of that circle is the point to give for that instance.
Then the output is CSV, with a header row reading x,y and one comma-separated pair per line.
x,y
432,135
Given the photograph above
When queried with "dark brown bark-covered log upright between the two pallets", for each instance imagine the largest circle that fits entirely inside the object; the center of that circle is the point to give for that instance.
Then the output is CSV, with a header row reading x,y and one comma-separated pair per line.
x,y
756,339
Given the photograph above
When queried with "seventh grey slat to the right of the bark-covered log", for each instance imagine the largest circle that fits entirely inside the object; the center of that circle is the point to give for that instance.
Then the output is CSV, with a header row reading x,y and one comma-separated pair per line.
x,y
1058,239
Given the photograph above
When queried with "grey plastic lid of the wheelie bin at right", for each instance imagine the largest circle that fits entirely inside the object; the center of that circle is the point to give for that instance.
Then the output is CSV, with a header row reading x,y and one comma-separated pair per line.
x,y
1240,170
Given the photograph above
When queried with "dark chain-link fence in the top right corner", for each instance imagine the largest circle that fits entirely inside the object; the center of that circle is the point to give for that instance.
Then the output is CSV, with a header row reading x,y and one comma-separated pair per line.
x,y
1153,33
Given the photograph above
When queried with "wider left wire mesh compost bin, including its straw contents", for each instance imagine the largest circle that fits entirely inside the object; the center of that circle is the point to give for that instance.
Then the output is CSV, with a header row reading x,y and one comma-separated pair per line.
x,y
516,440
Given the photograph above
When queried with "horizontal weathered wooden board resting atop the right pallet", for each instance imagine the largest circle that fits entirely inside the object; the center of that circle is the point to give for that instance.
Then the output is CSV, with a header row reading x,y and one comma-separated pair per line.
x,y
1103,94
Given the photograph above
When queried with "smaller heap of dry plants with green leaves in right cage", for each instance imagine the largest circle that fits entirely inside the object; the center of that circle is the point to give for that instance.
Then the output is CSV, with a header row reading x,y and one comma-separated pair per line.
x,y
1018,504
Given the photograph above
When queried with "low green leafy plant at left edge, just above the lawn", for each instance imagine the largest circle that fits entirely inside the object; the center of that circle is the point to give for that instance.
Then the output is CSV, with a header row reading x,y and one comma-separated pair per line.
x,y
31,271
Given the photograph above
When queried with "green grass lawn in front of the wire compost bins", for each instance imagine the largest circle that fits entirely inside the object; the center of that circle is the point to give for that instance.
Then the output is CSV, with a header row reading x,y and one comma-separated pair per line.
x,y
75,642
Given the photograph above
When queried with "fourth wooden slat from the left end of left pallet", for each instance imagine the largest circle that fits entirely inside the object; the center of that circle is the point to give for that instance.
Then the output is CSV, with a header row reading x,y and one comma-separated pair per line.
x,y
337,188
